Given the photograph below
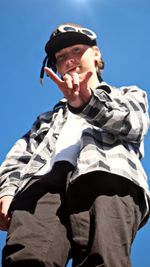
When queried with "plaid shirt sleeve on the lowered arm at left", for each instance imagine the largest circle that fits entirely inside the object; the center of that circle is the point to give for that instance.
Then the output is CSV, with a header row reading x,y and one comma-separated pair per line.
x,y
19,156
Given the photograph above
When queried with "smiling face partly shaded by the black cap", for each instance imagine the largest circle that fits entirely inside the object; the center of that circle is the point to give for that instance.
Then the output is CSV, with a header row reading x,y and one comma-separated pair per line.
x,y
78,58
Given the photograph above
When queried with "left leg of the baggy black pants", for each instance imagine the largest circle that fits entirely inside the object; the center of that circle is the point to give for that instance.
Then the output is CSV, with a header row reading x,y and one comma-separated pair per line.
x,y
38,235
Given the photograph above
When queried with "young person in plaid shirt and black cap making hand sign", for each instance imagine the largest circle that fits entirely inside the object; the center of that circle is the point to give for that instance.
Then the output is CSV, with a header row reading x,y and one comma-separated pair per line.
x,y
74,186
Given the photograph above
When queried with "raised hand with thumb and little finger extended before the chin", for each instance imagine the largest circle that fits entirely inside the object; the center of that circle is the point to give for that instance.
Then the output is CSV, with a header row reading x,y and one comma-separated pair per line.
x,y
76,91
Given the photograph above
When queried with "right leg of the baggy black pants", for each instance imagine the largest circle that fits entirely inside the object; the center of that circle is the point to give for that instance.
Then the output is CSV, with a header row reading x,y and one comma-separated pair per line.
x,y
105,212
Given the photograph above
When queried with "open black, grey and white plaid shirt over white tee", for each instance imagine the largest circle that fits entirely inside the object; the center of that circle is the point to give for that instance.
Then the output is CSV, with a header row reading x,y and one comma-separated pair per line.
x,y
112,141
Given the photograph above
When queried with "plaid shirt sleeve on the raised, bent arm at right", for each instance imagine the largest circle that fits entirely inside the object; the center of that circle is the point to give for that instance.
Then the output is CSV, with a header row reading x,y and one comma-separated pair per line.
x,y
122,112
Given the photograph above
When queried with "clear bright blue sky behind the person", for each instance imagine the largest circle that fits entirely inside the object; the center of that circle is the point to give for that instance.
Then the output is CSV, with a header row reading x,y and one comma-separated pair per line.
x,y
124,40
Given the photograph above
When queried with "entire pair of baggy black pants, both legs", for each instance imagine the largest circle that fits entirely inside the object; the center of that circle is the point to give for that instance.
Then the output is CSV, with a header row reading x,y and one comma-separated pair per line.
x,y
95,222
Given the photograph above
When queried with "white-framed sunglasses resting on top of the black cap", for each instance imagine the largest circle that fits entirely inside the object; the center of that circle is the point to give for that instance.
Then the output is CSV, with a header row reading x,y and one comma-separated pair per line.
x,y
68,28
